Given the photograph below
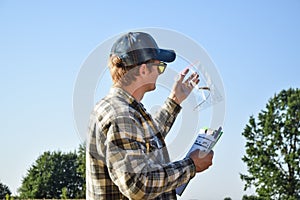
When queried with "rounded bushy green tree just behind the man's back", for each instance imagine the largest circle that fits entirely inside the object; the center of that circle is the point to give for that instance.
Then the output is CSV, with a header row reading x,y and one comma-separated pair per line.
x,y
51,175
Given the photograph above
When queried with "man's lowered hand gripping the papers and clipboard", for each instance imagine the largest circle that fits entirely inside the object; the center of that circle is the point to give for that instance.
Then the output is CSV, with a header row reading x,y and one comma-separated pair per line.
x,y
202,160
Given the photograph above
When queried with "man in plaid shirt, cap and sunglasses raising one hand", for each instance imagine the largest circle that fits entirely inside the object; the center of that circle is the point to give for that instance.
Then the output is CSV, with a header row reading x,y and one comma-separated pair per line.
x,y
126,152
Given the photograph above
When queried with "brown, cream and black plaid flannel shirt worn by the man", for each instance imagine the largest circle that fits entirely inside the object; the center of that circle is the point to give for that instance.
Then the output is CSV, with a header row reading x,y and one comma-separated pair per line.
x,y
126,153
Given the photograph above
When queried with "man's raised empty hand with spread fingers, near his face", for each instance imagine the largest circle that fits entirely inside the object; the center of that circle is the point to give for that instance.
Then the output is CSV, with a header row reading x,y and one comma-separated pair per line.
x,y
182,89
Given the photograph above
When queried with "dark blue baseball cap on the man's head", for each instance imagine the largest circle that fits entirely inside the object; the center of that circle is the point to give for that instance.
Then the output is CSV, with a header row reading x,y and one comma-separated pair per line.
x,y
134,48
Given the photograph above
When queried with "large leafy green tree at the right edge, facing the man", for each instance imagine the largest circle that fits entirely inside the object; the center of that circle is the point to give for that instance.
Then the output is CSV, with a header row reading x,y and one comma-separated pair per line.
x,y
273,148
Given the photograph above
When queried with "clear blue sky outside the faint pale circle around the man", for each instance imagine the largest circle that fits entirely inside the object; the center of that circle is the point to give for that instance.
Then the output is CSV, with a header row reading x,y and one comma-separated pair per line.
x,y
255,46
